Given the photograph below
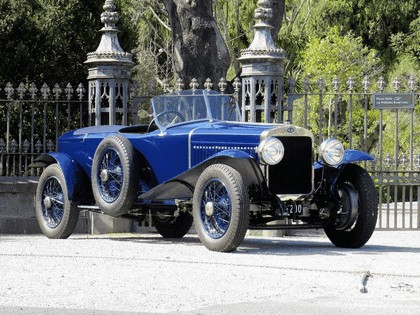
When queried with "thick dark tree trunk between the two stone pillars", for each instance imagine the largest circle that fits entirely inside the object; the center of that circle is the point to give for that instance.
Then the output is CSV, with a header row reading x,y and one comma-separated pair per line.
x,y
199,49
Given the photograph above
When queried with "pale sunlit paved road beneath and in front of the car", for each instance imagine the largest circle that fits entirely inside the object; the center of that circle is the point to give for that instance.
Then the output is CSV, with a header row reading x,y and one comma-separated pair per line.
x,y
142,274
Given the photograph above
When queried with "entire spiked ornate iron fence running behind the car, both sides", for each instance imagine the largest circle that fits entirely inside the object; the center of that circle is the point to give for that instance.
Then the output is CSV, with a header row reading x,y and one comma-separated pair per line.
x,y
32,119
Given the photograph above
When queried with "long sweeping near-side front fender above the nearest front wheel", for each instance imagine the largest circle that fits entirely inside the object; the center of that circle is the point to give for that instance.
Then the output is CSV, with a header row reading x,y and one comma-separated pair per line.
x,y
182,186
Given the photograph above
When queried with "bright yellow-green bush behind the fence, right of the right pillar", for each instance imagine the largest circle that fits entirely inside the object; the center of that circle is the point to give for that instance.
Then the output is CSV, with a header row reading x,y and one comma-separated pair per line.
x,y
337,58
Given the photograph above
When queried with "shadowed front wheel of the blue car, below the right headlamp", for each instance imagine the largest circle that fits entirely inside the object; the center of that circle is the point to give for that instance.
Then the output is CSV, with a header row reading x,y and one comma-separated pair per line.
x,y
357,190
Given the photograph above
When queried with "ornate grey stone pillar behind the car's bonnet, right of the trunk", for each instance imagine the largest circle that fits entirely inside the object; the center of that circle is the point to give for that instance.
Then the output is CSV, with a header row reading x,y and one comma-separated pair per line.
x,y
262,71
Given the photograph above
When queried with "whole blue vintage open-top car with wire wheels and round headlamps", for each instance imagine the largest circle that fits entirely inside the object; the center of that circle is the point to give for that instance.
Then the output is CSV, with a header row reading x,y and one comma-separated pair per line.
x,y
197,162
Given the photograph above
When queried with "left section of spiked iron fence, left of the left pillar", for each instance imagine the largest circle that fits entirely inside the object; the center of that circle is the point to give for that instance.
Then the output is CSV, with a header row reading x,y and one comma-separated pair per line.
x,y
32,119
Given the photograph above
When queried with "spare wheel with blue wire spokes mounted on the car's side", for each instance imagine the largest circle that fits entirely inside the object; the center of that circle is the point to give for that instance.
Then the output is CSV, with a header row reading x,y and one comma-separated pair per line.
x,y
114,175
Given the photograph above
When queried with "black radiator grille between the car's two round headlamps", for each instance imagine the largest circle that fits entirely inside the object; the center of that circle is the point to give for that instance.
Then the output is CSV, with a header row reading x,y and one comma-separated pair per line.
x,y
293,175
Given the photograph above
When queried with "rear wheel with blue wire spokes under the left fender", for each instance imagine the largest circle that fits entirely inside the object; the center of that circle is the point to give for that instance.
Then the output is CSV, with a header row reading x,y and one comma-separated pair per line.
x,y
57,216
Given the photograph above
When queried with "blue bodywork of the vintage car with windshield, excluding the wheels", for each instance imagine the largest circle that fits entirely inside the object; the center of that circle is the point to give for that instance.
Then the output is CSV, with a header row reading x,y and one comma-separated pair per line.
x,y
191,131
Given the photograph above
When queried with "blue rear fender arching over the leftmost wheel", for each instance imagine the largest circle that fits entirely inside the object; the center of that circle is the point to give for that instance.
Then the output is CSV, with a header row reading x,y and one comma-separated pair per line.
x,y
73,173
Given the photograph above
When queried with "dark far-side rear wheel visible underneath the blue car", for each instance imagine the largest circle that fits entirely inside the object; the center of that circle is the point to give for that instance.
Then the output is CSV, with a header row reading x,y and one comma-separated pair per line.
x,y
170,226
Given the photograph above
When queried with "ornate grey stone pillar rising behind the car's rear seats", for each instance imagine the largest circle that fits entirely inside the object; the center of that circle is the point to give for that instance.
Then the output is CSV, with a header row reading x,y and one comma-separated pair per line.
x,y
109,74
